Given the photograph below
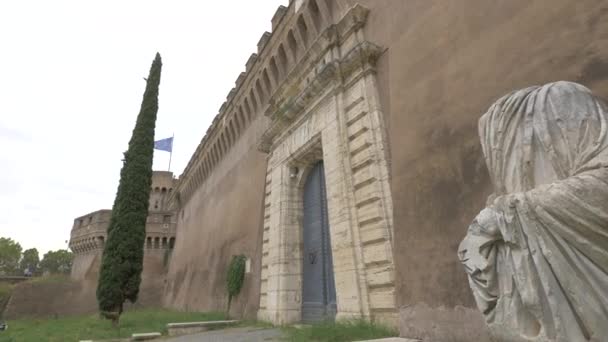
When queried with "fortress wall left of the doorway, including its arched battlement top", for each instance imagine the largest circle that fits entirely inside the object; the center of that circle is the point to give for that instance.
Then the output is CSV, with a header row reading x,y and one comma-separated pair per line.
x,y
222,197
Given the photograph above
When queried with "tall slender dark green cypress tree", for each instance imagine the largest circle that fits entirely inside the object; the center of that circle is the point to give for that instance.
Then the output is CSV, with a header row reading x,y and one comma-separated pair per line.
x,y
122,261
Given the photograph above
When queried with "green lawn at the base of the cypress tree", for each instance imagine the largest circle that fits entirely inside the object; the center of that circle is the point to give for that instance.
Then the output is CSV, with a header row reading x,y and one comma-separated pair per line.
x,y
77,328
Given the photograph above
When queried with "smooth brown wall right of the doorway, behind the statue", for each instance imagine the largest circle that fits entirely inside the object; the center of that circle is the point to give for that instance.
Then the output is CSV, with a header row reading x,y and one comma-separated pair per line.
x,y
445,63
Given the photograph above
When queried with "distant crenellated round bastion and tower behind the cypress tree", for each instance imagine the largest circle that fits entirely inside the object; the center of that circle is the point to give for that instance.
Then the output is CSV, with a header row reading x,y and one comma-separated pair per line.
x,y
87,240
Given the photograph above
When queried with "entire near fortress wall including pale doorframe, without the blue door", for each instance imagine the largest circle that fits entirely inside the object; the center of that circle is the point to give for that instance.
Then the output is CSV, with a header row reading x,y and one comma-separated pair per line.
x,y
420,74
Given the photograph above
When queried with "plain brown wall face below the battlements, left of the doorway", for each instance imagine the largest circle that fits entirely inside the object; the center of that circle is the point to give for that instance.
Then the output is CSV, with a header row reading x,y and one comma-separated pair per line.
x,y
221,218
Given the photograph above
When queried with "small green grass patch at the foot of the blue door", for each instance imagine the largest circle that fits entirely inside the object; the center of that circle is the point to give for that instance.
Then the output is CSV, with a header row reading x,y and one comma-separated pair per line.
x,y
339,331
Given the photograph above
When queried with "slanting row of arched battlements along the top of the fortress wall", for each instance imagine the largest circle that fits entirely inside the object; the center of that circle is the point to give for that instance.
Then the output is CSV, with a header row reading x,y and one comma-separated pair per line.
x,y
294,30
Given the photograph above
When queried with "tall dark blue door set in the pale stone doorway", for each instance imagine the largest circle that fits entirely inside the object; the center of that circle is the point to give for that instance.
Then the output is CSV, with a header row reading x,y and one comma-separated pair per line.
x,y
318,287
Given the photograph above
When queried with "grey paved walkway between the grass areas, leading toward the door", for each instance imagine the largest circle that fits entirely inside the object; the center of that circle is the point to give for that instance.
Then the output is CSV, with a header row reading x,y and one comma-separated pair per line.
x,y
232,335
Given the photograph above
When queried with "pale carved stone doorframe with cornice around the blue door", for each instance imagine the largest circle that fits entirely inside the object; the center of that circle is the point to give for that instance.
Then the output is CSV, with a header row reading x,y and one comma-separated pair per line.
x,y
334,116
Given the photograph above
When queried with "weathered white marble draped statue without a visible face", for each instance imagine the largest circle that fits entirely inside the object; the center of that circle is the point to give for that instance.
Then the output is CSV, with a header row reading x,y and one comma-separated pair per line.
x,y
537,256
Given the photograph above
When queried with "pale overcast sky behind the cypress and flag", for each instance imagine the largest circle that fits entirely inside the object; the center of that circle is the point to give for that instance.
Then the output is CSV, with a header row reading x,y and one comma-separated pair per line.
x,y
71,84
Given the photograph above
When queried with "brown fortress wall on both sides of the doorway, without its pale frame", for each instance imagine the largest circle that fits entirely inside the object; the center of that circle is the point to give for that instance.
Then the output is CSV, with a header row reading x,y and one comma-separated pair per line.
x,y
441,65
